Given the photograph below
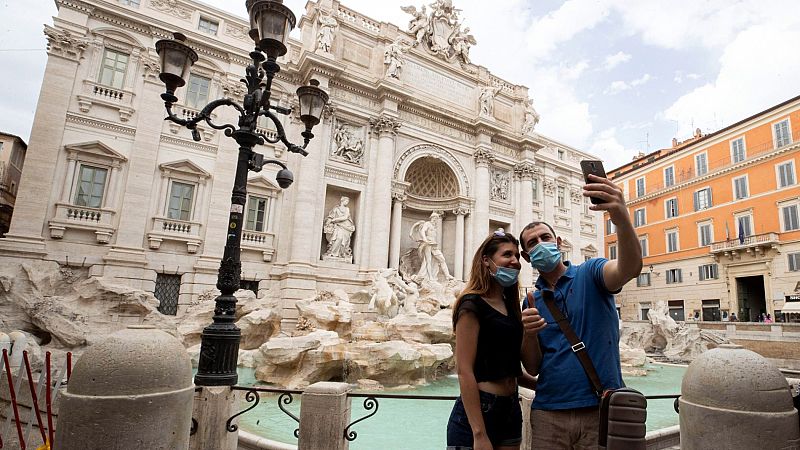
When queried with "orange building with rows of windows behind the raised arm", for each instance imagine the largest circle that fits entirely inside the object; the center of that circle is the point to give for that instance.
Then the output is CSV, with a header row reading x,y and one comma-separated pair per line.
x,y
718,217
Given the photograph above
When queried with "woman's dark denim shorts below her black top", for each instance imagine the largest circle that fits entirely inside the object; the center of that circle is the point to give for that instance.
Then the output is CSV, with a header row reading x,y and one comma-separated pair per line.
x,y
502,418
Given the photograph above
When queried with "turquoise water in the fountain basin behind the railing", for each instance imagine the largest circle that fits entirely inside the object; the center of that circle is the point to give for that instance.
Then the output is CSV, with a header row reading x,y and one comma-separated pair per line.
x,y
421,424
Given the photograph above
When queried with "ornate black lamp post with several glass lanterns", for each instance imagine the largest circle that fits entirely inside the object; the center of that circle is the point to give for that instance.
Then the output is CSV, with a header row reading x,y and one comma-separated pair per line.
x,y
270,21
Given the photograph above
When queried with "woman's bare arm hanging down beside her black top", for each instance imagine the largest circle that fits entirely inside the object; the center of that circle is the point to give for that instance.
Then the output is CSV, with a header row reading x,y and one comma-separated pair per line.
x,y
466,350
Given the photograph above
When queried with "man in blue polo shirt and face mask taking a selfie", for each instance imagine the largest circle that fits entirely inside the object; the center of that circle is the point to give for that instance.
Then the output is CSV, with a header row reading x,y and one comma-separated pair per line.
x,y
564,411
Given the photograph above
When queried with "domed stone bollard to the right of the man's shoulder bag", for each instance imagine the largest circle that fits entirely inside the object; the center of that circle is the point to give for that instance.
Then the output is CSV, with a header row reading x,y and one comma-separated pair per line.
x,y
732,398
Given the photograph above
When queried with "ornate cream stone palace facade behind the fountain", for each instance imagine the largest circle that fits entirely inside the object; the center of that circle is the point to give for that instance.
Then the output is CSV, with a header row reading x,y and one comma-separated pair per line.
x,y
110,185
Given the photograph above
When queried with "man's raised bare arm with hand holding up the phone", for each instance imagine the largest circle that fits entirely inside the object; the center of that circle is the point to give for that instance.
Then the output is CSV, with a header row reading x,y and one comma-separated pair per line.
x,y
628,264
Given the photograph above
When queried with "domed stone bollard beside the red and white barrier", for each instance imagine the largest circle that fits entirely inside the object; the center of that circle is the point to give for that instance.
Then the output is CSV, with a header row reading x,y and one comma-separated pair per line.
x,y
132,390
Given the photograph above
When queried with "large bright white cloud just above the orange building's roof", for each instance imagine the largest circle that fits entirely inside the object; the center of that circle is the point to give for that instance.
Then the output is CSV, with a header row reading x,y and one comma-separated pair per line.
x,y
757,71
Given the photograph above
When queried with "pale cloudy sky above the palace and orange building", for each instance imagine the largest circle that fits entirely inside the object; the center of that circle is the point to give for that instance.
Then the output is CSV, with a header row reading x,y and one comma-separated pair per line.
x,y
612,77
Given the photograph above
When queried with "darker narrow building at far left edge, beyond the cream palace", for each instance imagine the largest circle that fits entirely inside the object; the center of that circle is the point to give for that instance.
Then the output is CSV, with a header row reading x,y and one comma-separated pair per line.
x,y
12,158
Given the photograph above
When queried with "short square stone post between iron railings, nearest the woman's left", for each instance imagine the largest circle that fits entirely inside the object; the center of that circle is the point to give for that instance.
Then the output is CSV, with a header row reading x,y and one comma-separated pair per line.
x,y
324,414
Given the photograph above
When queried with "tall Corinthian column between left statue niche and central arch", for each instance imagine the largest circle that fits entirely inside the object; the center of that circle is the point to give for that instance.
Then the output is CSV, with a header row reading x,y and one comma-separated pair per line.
x,y
385,127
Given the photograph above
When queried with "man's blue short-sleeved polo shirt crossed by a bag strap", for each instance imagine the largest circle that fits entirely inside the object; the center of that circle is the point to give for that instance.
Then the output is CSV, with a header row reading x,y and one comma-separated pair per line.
x,y
583,298
